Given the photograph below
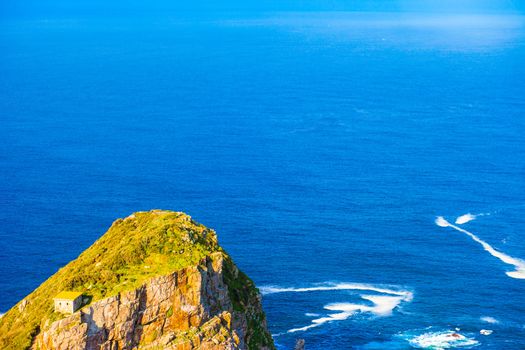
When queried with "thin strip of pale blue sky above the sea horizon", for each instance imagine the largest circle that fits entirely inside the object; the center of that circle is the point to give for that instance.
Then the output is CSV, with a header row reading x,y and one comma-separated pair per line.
x,y
16,8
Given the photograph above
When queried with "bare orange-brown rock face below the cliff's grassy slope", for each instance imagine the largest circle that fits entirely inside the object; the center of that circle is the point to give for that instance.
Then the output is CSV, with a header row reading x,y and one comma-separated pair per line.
x,y
189,309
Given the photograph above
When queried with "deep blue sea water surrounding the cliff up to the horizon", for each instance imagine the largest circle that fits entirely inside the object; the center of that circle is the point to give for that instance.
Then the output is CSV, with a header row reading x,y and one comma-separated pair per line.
x,y
320,146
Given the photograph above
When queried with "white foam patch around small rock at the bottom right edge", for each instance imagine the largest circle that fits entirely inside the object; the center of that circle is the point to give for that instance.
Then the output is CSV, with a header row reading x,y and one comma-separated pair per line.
x,y
441,340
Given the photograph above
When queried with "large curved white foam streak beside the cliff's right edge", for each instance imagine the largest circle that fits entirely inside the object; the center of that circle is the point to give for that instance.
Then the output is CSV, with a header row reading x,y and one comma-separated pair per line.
x,y
382,305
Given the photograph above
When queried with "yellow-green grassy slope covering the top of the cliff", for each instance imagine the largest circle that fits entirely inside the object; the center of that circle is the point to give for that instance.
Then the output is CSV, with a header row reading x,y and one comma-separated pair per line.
x,y
134,249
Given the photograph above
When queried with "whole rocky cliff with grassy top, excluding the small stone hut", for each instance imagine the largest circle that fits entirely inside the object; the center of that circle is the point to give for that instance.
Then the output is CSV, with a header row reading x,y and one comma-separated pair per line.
x,y
155,280
